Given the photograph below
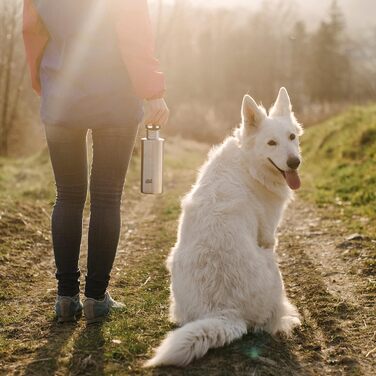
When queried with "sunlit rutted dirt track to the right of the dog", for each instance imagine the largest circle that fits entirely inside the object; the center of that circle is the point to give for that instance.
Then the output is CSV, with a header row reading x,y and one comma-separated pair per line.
x,y
329,279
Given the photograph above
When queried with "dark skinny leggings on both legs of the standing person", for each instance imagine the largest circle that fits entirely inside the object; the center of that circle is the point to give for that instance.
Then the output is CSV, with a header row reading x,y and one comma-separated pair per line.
x,y
112,149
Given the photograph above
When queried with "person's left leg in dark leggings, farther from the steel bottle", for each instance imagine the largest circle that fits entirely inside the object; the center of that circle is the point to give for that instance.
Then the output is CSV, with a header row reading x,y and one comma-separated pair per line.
x,y
69,161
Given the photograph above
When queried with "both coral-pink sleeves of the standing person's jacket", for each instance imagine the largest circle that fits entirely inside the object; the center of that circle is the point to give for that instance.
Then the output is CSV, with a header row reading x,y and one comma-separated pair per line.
x,y
136,44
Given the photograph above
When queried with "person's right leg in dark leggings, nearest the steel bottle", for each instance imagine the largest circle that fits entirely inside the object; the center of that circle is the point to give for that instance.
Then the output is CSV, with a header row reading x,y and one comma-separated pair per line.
x,y
112,150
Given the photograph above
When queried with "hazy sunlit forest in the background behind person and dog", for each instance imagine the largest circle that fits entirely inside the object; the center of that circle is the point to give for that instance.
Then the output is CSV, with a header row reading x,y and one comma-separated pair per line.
x,y
211,58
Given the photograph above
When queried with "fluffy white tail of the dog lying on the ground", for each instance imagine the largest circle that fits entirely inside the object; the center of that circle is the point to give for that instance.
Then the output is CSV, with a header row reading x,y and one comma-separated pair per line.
x,y
193,340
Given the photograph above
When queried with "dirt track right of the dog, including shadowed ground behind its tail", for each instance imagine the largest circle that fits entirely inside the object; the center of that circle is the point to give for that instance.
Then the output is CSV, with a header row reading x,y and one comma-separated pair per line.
x,y
330,280
